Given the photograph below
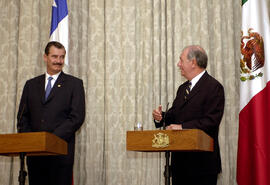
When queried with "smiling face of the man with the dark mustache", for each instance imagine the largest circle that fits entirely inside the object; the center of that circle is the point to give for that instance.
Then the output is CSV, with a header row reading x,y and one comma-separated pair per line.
x,y
55,60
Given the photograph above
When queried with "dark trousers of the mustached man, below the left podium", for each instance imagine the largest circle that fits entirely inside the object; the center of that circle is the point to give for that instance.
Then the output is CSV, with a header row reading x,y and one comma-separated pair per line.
x,y
48,170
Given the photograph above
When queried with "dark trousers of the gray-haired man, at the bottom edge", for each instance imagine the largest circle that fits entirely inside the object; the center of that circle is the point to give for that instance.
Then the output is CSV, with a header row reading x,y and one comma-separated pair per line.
x,y
208,179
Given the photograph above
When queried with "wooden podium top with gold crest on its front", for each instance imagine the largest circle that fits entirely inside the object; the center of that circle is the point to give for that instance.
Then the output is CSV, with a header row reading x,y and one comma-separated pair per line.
x,y
169,140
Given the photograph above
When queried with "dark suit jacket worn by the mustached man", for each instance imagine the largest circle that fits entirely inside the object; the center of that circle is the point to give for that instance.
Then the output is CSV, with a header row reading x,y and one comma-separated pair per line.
x,y
62,114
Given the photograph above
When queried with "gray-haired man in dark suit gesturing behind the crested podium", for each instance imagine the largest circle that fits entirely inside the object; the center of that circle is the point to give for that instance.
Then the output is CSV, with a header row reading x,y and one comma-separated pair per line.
x,y
199,104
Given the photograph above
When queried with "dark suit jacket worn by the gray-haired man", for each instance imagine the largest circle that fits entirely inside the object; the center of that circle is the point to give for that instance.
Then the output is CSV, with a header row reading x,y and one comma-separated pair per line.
x,y
203,110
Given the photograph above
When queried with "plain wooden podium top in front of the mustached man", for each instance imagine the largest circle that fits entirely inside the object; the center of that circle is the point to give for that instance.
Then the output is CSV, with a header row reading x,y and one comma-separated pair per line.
x,y
32,143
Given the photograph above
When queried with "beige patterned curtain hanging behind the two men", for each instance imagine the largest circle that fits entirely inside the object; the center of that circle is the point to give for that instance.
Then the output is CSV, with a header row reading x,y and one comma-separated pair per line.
x,y
126,53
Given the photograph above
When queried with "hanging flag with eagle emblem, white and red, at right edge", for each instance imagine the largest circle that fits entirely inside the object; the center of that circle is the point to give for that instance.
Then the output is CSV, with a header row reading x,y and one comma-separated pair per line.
x,y
253,158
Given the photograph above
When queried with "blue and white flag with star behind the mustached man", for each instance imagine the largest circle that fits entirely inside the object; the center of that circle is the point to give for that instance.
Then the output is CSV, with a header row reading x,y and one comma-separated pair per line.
x,y
59,24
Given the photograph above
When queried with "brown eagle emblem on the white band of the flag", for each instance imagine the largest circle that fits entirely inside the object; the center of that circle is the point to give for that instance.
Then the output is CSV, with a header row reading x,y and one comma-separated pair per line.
x,y
252,55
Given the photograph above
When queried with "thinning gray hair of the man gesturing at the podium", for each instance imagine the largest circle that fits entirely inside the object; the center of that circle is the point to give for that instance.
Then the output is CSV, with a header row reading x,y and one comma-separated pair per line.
x,y
199,54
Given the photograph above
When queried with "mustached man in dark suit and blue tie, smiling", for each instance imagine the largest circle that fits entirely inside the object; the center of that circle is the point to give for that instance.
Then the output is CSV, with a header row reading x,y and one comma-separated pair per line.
x,y
61,111
